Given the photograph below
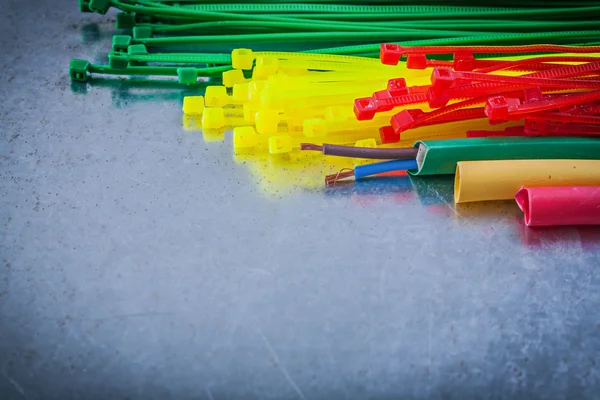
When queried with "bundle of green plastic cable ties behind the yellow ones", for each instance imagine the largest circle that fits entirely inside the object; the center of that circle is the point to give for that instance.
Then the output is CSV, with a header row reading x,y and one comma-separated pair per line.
x,y
192,39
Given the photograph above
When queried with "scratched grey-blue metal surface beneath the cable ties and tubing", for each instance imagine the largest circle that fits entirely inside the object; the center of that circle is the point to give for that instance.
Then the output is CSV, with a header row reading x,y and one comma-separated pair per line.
x,y
139,260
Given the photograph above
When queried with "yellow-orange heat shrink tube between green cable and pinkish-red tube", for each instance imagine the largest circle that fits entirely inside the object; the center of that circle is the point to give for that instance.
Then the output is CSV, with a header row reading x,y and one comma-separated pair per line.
x,y
500,180
